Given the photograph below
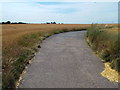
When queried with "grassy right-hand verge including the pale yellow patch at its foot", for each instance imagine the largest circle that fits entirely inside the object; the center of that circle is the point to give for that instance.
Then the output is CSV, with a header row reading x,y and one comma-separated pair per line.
x,y
105,41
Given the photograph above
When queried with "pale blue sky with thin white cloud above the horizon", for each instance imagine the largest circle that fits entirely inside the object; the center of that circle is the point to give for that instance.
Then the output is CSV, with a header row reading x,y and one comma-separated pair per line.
x,y
61,12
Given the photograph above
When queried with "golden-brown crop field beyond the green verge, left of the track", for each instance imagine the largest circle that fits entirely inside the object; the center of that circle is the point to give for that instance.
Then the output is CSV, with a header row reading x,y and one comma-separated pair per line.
x,y
12,32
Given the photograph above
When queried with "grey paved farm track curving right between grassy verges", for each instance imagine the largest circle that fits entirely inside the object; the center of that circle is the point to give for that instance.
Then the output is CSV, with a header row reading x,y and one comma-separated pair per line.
x,y
65,61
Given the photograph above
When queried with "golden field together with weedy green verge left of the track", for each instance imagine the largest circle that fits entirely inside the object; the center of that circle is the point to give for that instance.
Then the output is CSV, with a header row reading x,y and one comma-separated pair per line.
x,y
19,46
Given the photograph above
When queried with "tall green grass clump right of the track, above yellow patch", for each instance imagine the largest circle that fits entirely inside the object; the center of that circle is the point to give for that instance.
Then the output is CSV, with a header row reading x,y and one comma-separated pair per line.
x,y
105,44
